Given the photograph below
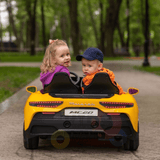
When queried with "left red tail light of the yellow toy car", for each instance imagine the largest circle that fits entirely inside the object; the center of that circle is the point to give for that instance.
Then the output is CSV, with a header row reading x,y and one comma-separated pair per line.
x,y
46,104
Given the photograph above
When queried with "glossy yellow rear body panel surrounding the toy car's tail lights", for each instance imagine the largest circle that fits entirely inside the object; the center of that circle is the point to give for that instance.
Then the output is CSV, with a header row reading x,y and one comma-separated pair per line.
x,y
30,111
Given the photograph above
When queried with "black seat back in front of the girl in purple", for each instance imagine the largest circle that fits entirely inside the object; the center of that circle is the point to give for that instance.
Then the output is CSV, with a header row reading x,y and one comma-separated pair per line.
x,y
61,83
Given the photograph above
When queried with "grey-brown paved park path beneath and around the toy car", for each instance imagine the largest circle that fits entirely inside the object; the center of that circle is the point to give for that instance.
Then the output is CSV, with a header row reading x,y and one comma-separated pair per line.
x,y
11,122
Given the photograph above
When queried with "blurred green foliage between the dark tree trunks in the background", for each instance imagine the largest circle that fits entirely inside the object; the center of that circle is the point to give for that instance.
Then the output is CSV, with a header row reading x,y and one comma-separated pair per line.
x,y
58,25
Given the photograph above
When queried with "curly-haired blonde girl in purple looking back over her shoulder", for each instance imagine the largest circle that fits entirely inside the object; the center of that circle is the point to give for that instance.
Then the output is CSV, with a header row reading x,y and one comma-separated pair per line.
x,y
56,59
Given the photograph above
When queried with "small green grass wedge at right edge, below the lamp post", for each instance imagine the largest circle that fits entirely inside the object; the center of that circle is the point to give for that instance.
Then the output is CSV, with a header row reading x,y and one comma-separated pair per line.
x,y
154,70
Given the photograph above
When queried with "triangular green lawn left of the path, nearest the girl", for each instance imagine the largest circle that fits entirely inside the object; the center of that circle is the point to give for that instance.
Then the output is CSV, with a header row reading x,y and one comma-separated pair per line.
x,y
13,79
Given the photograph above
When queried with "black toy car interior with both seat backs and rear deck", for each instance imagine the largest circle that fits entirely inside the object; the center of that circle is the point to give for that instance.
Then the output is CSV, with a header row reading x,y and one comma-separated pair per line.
x,y
63,85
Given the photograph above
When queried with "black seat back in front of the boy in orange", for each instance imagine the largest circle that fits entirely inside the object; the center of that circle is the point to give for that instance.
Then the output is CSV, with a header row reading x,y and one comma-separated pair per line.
x,y
101,84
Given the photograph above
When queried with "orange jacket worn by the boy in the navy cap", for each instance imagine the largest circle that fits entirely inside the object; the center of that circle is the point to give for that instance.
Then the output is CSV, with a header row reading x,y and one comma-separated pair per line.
x,y
88,79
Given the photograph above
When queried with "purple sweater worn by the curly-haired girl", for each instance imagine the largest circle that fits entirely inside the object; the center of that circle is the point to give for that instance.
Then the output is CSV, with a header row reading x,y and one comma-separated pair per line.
x,y
46,78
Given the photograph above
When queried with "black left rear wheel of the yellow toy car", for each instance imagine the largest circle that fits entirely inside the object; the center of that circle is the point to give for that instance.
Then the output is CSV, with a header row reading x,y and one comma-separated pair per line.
x,y
30,143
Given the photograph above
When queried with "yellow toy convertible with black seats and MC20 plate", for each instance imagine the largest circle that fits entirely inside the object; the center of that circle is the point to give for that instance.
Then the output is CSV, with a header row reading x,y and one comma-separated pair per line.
x,y
61,112
